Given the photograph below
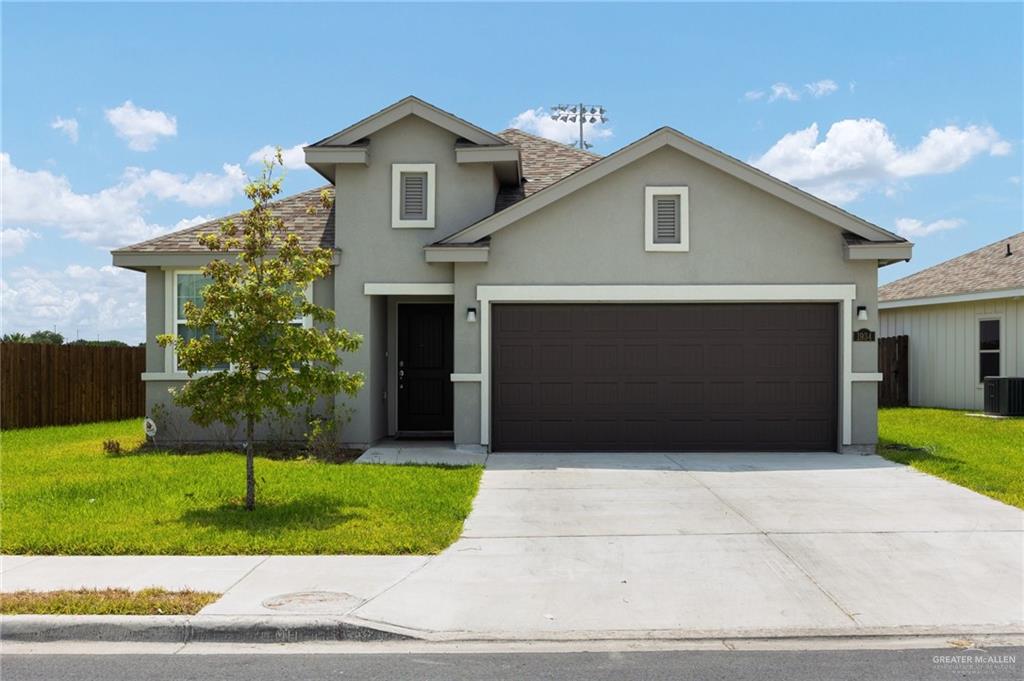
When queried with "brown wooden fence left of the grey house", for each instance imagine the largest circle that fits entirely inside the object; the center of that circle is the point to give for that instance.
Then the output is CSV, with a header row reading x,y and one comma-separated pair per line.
x,y
53,386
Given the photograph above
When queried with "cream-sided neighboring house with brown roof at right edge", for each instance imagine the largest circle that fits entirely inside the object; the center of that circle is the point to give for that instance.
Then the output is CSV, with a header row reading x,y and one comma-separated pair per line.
x,y
964,319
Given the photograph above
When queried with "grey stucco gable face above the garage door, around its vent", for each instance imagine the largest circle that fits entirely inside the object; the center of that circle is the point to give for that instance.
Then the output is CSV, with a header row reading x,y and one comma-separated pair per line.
x,y
737,234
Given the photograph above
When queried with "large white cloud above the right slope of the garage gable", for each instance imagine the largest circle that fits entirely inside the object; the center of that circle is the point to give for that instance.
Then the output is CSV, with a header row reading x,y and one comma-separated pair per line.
x,y
859,155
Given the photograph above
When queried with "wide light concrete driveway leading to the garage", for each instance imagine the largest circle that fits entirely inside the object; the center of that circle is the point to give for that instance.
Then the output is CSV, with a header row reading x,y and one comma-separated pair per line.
x,y
564,545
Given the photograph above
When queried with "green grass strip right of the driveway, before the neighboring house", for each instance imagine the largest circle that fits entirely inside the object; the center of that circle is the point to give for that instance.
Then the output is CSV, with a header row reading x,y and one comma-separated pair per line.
x,y
985,455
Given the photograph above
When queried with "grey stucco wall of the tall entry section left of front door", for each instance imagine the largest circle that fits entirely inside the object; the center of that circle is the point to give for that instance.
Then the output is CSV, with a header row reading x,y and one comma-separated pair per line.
x,y
373,251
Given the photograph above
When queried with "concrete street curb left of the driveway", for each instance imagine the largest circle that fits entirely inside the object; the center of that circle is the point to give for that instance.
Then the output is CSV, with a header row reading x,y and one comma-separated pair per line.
x,y
188,629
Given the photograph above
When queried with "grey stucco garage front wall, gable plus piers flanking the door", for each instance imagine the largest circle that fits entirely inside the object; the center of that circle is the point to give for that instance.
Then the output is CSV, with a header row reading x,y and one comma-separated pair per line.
x,y
739,235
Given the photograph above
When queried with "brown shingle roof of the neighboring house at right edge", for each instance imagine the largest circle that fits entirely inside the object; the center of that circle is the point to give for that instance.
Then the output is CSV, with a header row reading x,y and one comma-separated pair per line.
x,y
989,269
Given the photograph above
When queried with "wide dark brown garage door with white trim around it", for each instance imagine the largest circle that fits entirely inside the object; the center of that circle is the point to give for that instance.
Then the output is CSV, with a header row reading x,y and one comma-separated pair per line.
x,y
664,377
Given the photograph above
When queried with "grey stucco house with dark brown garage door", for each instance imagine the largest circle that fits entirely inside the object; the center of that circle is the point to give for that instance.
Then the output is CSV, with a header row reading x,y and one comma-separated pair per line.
x,y
519,294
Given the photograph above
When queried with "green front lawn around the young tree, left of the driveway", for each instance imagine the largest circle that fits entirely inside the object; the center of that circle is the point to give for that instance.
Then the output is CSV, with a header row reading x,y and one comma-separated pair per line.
x,y
62,495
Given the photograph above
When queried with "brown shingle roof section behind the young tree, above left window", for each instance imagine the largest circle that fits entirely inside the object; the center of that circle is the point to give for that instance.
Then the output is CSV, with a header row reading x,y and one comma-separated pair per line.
x,y
314,231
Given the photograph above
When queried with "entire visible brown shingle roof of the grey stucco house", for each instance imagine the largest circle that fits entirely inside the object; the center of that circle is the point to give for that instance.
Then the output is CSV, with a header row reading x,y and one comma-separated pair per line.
x,y
544,162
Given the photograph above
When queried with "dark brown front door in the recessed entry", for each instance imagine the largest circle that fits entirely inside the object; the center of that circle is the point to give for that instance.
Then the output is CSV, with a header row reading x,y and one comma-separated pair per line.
x,y
425,350
